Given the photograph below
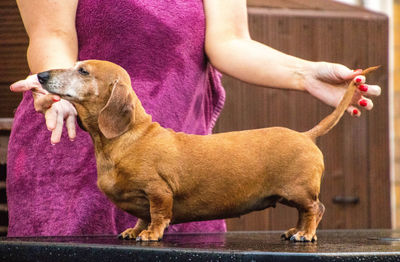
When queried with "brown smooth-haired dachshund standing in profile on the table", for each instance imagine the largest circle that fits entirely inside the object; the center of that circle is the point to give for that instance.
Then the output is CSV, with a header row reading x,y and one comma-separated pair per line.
x,y
163,177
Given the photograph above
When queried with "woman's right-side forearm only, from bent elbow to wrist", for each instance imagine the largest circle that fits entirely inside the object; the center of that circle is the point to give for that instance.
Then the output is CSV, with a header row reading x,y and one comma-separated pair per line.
x,y
255,63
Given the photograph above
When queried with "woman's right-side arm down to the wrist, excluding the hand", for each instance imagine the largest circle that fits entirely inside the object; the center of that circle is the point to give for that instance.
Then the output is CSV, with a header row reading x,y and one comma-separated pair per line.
x,y
231,50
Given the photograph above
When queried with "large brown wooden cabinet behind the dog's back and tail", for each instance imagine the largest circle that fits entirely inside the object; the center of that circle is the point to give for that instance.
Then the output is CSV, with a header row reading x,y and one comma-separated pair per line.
x,y
351,149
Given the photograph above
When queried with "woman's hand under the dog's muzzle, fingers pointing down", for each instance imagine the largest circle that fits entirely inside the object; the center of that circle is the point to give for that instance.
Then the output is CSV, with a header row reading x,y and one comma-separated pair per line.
x,y
55,110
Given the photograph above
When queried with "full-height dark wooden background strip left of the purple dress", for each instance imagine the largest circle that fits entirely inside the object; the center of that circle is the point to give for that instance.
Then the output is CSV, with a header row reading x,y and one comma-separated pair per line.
x,y
13,67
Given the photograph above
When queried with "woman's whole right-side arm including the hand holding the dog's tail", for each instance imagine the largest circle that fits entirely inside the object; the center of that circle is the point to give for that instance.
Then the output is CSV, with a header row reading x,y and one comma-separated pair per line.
x,y
232,51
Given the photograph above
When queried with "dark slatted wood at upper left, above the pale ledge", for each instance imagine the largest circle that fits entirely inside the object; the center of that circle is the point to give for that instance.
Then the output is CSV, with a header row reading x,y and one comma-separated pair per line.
x,y
13,66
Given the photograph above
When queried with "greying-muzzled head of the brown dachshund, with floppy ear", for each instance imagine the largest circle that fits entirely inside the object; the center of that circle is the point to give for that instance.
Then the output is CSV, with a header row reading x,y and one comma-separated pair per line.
x,y
101,92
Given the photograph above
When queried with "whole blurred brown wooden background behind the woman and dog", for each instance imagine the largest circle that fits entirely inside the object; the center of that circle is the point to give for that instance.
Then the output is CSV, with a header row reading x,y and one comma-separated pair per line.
x,y
361,185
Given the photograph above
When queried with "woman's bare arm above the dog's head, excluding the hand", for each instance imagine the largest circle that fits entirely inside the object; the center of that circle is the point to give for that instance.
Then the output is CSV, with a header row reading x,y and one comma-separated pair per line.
x,y
50,26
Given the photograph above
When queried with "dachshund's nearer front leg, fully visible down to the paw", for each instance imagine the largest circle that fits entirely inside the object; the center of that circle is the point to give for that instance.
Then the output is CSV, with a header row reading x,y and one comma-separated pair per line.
x,y
160,213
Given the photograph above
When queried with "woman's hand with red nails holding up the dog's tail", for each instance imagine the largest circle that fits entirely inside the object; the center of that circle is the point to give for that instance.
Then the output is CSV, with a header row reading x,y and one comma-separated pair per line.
x,y
328,82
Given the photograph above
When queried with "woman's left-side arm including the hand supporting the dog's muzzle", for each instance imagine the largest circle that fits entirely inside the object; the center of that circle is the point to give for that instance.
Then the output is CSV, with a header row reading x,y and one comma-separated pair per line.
x,y
53,44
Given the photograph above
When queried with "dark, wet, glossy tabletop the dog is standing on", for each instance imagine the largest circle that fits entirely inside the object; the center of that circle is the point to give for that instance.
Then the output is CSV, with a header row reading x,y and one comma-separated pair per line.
x,y
354,245
